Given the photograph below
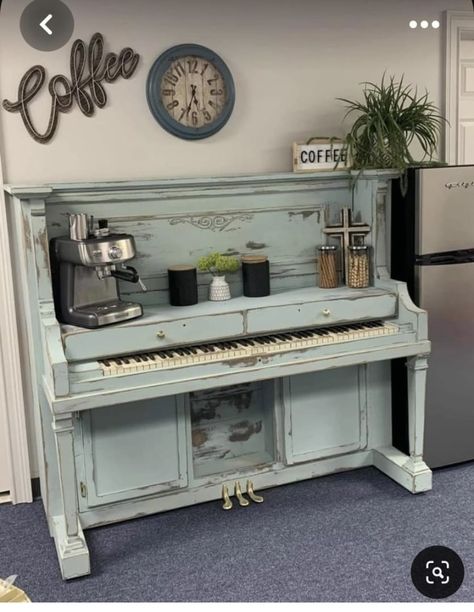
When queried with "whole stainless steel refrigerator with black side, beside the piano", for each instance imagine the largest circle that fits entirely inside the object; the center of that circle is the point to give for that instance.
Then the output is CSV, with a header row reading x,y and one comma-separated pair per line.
x,y
432,243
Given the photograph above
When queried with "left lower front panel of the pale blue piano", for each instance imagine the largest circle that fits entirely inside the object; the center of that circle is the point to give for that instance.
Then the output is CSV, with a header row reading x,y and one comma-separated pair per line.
x,y
120,458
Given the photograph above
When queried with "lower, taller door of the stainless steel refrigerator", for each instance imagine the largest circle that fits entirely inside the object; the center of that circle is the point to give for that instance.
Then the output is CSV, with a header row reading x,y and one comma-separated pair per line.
x,y
447,293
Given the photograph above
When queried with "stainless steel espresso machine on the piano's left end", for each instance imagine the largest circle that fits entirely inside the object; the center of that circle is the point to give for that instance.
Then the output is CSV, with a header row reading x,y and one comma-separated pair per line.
x,y
86,267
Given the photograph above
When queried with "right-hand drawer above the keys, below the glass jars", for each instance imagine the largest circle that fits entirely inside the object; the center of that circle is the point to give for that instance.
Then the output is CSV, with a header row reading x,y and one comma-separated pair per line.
x,y
321,313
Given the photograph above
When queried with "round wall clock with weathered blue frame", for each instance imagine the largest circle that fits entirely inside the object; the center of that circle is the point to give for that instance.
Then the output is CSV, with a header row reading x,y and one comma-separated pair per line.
x,y
190,91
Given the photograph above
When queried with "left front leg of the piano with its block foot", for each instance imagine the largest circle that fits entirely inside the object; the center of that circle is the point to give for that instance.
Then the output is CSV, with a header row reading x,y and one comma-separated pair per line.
x,y
71,547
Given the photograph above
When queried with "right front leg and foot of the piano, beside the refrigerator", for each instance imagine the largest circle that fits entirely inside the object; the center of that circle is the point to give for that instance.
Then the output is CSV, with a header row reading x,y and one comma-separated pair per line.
x,y
410,471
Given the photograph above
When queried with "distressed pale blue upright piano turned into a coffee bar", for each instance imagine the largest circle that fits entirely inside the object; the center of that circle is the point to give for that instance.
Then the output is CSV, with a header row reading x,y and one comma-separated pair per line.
x,y
162,411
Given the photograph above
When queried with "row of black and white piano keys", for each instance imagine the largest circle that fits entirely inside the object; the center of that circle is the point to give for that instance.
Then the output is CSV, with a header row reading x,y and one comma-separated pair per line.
x,y
259,346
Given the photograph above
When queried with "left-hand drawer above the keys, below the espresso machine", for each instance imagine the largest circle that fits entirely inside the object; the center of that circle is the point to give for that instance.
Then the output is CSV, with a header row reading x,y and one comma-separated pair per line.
x,y
148,337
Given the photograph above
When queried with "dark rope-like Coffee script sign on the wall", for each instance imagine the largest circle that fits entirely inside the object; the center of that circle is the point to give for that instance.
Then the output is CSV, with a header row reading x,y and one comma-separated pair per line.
x,y
89,69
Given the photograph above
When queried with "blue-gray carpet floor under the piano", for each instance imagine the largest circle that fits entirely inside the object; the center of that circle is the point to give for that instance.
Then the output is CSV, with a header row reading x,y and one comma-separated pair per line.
x,y
346,537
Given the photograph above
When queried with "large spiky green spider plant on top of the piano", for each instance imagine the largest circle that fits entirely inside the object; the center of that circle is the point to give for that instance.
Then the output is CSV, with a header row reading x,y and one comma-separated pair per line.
x,y
392,118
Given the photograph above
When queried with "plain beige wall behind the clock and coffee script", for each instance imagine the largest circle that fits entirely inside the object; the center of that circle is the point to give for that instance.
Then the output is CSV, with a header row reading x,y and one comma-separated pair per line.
x,y
290,60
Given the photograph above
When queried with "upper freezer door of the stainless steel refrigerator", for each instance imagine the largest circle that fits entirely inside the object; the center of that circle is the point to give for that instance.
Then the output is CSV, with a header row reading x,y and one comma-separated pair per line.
x,y
445,217
